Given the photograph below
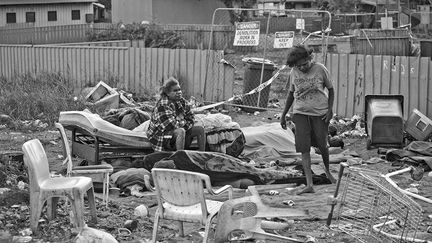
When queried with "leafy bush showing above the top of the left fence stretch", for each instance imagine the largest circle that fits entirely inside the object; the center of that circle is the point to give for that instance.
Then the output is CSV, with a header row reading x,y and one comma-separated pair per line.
x,y
153,35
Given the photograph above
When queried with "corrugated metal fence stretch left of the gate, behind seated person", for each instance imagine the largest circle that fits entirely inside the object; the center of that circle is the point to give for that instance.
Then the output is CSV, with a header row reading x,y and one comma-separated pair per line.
x,y
141,70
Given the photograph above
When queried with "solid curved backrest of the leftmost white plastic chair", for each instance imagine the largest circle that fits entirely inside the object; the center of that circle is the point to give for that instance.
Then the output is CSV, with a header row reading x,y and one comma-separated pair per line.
x,y
37,162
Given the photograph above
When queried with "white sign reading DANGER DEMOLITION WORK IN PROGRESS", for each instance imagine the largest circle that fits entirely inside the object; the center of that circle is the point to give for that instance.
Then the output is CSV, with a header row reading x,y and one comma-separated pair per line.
x,y
247,33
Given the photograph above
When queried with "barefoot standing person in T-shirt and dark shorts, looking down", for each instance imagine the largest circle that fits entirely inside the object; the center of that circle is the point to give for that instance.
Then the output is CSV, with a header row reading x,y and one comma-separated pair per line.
x,y
312,108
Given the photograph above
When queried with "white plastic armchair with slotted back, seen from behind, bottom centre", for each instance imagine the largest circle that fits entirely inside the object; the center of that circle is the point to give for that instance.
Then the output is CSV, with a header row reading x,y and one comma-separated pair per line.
x,y
180,196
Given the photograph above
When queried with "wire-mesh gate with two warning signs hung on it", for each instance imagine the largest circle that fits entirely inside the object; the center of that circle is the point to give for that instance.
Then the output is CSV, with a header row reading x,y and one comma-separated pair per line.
x,y
257,46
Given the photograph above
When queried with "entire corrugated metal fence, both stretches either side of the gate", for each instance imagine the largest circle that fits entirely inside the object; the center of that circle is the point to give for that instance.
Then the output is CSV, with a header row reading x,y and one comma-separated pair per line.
x,y
144,69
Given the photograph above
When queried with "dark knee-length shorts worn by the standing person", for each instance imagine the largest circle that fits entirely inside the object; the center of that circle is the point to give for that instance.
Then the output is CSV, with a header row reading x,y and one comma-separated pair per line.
x,y
310,131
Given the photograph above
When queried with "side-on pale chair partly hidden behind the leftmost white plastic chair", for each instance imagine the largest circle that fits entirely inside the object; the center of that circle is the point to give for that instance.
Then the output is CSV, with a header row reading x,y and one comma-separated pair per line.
x,y
91,170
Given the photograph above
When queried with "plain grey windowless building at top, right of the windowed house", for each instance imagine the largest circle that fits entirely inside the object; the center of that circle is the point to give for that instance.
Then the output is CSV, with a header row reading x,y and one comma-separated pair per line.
x,y
165,11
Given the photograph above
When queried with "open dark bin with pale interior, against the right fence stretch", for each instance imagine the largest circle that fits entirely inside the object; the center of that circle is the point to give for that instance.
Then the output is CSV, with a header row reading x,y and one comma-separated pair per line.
x,y
384,120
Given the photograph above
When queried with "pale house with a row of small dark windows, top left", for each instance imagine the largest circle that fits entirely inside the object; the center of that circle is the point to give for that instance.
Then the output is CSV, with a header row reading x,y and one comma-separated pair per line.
x,y
39,13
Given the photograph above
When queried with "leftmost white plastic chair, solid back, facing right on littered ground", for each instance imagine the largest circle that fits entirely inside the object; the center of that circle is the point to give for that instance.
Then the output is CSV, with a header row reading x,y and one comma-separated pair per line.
x,y
43,188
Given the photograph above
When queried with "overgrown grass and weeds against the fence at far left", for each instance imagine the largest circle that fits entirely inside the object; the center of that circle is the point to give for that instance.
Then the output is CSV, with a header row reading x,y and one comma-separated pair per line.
x,y
29,97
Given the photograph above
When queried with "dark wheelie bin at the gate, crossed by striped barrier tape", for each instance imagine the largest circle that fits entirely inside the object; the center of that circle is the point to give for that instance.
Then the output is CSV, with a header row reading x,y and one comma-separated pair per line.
x,y
251,80
